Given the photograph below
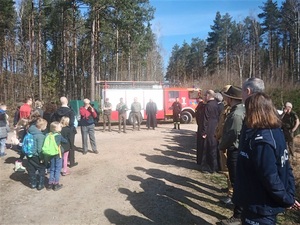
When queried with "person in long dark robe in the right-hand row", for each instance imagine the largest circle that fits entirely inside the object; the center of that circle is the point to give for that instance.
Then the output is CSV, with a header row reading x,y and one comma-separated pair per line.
x,y
210,122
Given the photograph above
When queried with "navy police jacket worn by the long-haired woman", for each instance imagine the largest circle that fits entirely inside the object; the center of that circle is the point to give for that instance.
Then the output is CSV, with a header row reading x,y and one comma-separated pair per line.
x,y
264,184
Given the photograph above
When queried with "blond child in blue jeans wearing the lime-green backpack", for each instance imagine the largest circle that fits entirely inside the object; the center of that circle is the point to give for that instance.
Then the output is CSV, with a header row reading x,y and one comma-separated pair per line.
x,y
56,161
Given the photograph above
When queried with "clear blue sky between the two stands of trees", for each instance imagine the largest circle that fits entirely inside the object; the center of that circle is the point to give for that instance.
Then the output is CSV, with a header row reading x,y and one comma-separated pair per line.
x,y
178,21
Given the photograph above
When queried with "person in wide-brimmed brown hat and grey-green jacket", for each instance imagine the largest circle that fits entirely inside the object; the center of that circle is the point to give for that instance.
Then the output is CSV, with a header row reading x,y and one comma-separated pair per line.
x,y
230,137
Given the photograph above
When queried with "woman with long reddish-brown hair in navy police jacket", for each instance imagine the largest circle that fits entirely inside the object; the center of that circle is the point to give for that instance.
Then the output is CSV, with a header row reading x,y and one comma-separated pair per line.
x,y
265,184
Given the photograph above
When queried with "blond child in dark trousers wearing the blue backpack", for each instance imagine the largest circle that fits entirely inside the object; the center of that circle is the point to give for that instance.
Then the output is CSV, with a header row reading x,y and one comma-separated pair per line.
x,y
35,161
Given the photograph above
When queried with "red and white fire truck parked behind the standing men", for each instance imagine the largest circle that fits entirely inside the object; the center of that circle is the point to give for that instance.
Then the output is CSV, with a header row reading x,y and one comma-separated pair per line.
x,y
146,90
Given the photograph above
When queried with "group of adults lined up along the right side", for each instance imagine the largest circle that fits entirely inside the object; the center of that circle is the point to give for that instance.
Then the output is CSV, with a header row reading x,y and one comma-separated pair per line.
x,y
241,134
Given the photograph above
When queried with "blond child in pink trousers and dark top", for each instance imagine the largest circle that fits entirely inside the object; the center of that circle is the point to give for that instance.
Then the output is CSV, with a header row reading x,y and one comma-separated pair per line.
x,y
66,133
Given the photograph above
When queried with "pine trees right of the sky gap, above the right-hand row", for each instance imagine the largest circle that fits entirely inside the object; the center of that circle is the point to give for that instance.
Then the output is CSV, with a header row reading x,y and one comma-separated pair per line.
x,y
266,46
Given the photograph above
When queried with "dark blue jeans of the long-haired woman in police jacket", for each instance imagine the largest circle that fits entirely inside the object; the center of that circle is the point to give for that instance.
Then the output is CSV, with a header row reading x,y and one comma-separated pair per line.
x,y
249,218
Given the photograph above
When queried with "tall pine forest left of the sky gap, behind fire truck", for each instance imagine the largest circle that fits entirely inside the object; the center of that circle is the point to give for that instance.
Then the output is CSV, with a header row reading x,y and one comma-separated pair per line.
x,y
50,48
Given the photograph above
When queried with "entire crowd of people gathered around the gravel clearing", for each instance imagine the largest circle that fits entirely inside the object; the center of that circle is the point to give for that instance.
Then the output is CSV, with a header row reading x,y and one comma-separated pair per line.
x,y
240,134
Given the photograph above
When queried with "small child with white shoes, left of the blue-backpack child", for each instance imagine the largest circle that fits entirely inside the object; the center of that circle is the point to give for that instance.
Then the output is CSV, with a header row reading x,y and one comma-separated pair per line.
x,y
20,133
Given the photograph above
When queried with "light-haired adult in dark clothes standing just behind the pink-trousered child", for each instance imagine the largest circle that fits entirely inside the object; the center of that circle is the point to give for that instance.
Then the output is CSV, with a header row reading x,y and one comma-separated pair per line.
x,y
64,110
